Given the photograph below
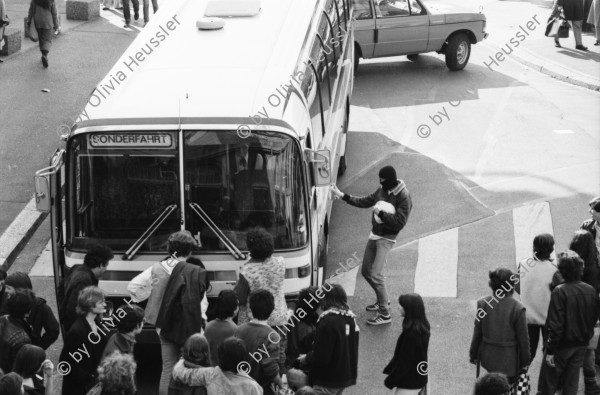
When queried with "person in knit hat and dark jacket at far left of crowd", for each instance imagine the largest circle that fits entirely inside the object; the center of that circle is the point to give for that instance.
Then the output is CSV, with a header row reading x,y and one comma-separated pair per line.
x,y
41,318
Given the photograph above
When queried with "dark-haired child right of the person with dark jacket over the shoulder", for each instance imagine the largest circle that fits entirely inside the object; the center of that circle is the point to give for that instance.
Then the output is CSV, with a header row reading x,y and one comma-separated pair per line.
x,y
223,326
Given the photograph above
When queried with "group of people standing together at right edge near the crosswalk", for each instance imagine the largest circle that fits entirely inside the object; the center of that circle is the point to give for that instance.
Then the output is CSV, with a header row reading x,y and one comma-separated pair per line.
x,y
559,300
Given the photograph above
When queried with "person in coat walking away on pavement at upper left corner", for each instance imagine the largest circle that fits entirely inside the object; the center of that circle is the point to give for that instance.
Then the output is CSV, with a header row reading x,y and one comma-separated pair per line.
x,y
45,17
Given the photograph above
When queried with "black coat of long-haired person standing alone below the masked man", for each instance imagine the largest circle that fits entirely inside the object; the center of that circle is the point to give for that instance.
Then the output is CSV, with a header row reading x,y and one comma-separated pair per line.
x,y
410,358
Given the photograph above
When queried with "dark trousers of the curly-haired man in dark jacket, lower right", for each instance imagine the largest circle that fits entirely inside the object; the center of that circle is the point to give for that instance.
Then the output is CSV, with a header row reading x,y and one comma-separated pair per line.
x,y
568,362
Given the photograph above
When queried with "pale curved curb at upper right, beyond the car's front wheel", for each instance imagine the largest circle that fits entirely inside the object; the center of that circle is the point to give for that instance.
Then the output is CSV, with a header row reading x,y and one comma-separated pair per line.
x,y
552,69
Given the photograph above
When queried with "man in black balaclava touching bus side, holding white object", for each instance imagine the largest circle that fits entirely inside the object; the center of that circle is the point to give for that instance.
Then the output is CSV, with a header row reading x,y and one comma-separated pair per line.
x,y
385,228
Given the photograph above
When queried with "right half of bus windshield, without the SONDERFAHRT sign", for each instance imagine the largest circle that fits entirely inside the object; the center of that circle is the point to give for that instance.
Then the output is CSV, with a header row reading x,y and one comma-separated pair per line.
x,y
242,183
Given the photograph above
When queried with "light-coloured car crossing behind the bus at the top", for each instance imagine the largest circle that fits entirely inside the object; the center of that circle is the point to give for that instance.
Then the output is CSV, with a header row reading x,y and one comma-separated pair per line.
x,y
408,27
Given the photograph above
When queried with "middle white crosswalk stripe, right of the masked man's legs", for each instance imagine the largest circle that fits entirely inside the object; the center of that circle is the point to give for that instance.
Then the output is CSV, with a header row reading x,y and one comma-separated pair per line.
x,y
437,266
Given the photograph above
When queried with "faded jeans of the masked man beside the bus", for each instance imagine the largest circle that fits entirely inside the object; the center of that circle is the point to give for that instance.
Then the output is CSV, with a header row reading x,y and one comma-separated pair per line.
x,y
374,261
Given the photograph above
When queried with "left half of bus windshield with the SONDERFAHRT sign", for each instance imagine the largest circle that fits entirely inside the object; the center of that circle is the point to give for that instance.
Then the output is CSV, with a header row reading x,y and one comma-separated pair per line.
x,y
120,184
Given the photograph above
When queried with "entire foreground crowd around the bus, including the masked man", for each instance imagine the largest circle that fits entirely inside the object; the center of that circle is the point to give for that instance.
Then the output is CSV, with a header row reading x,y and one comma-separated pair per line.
x,y
255,344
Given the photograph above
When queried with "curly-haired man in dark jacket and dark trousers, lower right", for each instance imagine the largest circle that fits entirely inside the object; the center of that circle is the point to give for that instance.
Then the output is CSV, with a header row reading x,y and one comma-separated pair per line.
x,y
572,314
